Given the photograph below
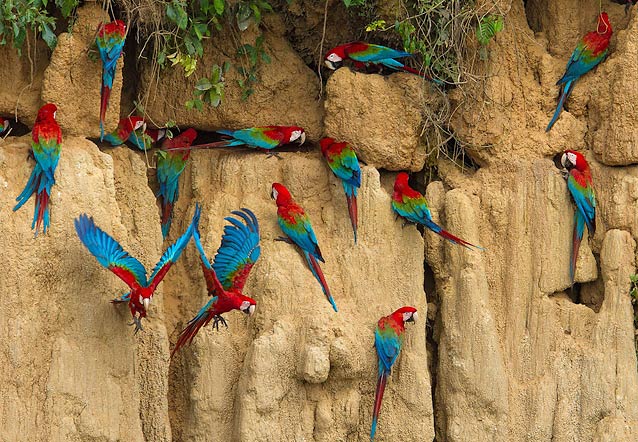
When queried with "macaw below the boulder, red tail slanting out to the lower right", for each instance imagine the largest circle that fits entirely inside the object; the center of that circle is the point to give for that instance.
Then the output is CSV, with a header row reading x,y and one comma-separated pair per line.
x,y
411,205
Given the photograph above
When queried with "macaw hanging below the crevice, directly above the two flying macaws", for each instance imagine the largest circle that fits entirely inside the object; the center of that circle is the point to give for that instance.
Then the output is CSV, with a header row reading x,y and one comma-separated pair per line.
x,y
171,161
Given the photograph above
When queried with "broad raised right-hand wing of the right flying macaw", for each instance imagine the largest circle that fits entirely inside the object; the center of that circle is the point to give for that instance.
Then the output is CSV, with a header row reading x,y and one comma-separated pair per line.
x,y
239,250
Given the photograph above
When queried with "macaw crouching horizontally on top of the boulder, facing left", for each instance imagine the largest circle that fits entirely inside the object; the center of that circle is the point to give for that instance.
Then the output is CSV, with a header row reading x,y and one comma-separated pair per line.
x,y
364,54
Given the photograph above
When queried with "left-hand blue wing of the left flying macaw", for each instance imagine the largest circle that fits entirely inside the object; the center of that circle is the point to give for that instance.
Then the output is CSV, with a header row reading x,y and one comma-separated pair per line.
x,y
109,253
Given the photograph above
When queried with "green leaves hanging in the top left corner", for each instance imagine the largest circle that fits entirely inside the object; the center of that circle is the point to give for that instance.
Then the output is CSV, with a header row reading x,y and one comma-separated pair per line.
x,y
17,17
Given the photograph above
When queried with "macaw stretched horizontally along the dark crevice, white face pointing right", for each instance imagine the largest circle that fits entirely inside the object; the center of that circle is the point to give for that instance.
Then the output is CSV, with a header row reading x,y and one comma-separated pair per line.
x,y
266,137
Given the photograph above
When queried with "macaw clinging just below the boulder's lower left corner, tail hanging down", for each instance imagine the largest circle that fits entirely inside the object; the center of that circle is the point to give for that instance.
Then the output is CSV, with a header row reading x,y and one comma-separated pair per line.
x,y
344,164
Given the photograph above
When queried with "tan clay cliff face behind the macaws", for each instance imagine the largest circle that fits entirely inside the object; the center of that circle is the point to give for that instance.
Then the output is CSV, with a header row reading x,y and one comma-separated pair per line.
x,y
505,350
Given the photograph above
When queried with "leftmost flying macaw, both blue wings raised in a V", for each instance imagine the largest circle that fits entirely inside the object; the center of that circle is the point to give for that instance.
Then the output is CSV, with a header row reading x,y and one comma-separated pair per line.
x,y
111,255
